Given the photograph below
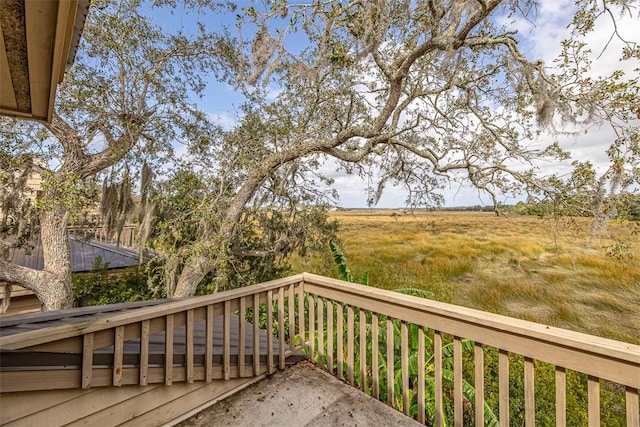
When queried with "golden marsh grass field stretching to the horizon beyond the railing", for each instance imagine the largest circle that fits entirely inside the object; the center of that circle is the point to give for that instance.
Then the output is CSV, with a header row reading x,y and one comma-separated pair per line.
x,y
519,266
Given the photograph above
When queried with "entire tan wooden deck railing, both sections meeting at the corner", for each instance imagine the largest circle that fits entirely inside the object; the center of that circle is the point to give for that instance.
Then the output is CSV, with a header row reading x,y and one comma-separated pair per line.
x,y
435,362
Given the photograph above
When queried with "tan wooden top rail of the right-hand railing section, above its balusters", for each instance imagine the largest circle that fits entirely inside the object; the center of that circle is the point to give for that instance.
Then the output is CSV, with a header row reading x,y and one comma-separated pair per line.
x,y
608,359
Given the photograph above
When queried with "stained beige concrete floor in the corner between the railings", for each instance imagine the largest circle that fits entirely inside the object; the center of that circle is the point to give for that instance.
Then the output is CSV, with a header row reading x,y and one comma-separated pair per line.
x,y
302,395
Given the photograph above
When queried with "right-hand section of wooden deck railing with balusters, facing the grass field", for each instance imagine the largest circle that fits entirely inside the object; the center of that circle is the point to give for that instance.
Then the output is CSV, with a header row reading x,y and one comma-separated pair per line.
x,y
419,355
